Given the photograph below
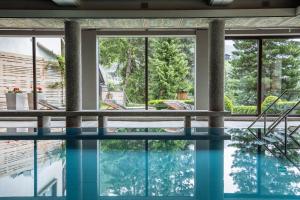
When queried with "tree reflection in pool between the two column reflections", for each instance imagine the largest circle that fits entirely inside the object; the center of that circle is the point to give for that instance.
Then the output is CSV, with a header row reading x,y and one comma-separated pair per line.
x,y
123,168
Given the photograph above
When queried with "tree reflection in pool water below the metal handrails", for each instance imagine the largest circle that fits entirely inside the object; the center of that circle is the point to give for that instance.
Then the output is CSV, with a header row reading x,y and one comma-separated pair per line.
x,y
252,172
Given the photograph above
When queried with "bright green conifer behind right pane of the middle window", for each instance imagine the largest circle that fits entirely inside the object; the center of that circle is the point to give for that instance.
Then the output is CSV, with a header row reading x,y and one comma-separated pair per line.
x,y
168,69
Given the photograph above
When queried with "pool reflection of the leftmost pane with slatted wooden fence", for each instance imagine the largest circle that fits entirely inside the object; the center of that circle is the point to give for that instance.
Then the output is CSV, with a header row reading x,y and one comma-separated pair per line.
x,y
16,168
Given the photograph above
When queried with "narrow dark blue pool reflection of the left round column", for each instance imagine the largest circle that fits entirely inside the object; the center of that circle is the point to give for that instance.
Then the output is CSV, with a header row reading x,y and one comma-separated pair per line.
x,y
73,169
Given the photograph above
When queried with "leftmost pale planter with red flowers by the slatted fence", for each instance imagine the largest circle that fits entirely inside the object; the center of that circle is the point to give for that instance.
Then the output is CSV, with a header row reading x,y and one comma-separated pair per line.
x,y
15,99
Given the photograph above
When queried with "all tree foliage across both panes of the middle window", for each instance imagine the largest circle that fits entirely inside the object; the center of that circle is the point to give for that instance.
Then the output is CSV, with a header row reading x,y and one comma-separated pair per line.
x,y
170,62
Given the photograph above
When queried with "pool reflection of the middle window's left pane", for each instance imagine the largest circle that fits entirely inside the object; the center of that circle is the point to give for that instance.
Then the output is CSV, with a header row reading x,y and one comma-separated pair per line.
x,y
122,168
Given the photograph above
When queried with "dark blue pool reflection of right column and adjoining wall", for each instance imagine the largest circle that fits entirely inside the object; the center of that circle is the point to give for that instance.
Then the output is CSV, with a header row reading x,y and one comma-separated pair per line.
x,y
209,181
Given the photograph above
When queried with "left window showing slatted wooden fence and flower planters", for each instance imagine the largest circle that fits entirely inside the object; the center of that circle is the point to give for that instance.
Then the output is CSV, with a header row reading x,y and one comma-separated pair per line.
x,y
18,59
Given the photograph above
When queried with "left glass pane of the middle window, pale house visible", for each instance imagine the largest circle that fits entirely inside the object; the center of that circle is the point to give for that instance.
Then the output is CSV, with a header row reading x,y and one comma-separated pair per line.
x,y
122,73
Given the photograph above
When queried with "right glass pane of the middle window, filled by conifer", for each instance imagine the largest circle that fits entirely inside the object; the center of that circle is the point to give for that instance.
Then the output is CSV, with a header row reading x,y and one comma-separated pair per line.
x,y
171,73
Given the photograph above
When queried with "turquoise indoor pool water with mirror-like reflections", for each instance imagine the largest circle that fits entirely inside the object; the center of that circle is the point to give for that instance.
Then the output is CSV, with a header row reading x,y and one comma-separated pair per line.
x,y
208,169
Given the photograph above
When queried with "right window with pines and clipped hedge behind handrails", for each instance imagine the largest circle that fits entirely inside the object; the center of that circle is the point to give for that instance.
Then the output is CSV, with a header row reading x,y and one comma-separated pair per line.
x,y
258,71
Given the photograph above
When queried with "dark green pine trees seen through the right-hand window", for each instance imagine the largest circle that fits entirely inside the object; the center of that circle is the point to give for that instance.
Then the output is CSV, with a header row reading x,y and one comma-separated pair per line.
x,y
281,69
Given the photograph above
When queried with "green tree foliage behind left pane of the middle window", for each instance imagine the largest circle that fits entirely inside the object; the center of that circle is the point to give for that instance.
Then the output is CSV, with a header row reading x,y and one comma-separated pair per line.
x,y
128,56
